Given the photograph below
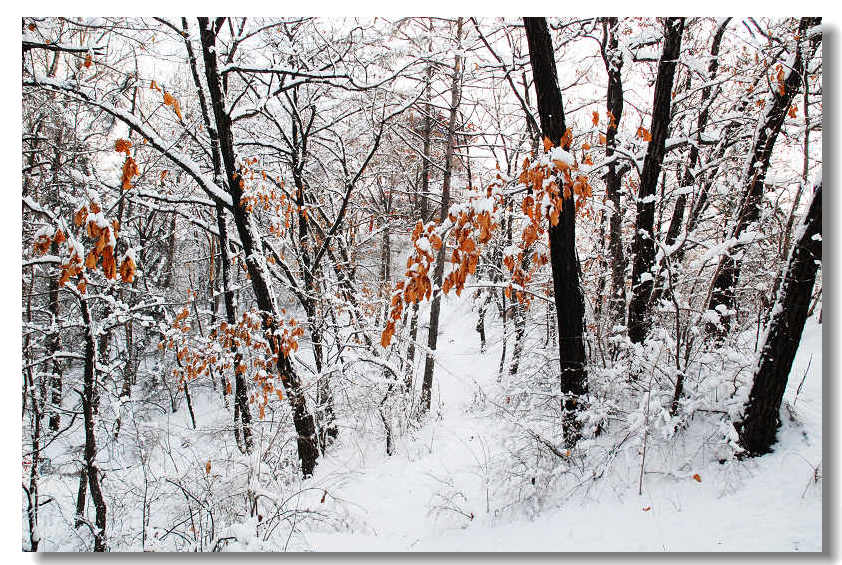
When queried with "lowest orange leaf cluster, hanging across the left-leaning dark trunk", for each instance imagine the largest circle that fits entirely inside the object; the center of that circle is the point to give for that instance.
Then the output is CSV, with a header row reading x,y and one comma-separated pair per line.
x,y
199,356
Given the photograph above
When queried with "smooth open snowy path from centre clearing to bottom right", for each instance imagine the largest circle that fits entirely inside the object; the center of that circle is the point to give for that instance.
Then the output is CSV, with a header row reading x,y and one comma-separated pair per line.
x,y
422,497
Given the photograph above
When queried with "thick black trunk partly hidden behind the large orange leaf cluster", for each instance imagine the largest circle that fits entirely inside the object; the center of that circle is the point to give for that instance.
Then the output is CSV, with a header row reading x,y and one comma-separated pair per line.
x,y
569,300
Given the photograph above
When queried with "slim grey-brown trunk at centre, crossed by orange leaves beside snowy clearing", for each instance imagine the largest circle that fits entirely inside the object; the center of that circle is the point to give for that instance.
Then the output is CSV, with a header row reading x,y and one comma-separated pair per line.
x,y
438,273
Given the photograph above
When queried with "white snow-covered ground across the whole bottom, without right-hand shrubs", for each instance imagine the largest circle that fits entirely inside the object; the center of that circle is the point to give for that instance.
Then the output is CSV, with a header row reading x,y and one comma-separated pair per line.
x,y
449,486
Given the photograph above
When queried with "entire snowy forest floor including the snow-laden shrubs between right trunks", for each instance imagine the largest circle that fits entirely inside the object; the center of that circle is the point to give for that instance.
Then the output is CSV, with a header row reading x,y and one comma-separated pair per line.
x,y
486,470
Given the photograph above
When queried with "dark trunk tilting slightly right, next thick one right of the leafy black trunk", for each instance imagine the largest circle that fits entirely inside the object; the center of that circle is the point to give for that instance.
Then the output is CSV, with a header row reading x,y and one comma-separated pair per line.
x,y
643,245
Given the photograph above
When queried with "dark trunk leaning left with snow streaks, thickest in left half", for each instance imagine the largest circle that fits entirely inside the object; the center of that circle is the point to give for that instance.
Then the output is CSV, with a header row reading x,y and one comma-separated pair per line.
x,y
308,451
